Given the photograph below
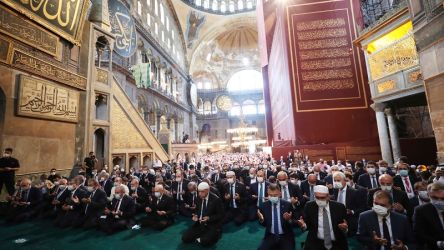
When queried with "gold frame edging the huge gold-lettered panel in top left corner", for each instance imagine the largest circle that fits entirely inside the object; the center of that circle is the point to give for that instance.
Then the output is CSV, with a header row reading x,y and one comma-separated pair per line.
x,y
75,39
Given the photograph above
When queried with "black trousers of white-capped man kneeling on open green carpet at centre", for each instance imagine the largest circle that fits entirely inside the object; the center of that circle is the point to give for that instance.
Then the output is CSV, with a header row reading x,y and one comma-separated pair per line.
x,y
208,235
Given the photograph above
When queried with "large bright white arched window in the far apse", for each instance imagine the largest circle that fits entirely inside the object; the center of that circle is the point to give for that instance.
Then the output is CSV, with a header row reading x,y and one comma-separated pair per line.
x,y
245,80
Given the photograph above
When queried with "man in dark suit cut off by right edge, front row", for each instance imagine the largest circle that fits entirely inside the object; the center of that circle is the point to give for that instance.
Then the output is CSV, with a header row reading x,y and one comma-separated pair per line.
x,y
428,219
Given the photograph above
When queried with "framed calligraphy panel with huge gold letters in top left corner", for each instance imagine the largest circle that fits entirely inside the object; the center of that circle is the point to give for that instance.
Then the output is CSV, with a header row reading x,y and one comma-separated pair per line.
x,y
65,17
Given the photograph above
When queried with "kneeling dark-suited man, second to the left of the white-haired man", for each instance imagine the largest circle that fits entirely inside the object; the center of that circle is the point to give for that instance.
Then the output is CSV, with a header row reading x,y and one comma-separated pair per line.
x,y
73,207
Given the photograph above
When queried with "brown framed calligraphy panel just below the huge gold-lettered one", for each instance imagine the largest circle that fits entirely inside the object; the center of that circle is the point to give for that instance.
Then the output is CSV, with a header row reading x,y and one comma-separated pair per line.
x,y
27,32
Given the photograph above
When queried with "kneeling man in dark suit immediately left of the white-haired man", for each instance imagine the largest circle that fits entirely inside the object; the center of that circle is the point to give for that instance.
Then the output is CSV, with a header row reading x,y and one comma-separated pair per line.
x,y
93,206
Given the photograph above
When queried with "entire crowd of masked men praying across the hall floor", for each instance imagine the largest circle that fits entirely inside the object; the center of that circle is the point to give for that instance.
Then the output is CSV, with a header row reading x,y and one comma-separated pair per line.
x,y
383,206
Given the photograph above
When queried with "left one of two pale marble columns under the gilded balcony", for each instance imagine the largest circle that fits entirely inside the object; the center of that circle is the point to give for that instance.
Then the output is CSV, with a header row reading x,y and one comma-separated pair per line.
x,y
382,131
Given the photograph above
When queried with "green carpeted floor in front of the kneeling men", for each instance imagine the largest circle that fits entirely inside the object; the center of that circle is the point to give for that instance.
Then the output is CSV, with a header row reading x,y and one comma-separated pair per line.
x,y
41,234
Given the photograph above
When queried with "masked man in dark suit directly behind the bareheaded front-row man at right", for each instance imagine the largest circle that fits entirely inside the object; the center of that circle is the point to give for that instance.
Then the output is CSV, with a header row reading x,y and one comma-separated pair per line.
x,y
401,203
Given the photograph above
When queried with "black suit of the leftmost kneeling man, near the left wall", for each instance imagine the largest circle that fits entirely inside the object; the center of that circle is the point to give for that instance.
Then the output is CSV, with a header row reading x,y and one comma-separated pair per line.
x,y
21,213
